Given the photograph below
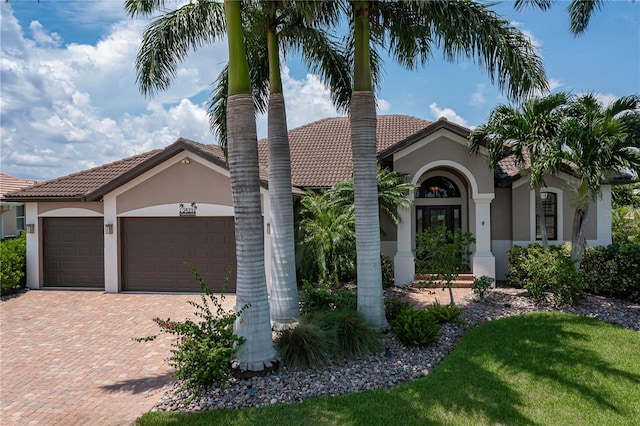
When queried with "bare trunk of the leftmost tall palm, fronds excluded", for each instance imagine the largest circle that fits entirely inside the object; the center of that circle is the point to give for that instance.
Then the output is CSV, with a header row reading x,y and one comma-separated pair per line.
x,y
251,287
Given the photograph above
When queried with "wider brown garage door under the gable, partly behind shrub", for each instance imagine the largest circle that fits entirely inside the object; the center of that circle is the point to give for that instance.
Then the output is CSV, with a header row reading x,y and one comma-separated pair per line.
x,y
154,251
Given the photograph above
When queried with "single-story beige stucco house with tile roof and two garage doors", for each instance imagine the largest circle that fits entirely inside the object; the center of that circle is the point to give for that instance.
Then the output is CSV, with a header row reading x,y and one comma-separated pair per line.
x,y
129,225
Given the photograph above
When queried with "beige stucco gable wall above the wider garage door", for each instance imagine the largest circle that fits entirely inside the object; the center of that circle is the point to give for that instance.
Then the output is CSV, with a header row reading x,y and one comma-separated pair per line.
x,y
178,183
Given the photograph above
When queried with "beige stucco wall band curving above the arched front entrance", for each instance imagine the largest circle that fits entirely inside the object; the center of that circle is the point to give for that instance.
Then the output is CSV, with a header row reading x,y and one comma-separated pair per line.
x,y
454,149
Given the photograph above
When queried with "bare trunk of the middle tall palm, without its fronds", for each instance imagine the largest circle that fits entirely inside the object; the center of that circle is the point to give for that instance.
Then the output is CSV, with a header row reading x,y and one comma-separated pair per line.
x,y
284,289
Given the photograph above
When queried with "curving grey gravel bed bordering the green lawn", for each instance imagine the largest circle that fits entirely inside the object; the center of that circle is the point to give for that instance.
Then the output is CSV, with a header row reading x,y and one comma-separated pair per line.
x,y
381,370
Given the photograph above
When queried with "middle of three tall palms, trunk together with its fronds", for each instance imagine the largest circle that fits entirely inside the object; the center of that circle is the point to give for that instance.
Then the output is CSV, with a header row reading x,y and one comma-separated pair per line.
x,y
272,28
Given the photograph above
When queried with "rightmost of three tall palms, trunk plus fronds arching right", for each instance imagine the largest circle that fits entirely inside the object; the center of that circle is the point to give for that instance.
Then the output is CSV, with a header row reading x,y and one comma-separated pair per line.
x,y
463,29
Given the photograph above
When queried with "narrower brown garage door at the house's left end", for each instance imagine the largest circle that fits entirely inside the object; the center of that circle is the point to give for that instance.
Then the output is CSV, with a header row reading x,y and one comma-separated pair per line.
x,y
73,251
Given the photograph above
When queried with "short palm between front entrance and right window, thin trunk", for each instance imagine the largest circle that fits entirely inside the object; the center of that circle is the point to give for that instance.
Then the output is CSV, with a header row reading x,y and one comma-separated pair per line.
x,y
529,133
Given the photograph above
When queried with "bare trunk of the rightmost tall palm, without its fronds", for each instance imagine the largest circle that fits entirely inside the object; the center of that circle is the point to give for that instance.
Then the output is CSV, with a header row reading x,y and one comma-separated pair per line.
x,y
363,142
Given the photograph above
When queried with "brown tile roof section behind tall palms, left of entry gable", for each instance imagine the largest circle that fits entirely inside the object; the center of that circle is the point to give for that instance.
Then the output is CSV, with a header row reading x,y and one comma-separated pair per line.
x,y
321,151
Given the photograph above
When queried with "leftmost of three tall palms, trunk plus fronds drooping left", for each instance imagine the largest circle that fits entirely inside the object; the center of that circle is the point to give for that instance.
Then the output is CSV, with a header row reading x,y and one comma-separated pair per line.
x,y
166,42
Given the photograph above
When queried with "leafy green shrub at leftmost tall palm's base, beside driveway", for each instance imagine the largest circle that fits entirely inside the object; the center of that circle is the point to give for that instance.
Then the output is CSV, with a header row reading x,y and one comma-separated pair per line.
x,y
204,350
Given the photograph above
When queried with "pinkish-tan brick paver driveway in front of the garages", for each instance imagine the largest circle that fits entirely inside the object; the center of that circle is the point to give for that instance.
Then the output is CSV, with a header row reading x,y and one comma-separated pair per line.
x,y
68,358
